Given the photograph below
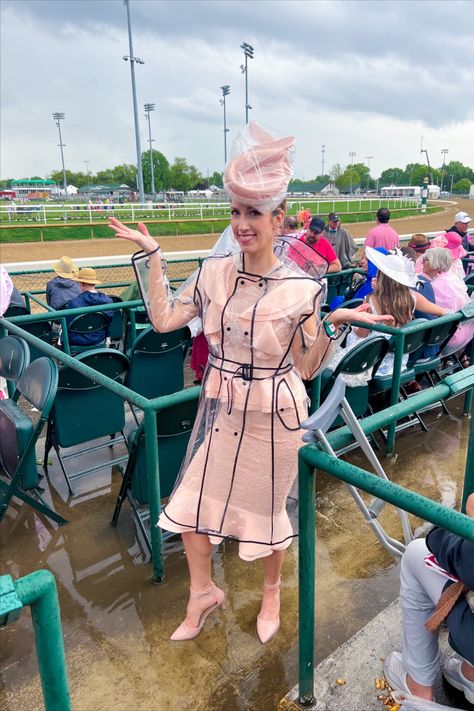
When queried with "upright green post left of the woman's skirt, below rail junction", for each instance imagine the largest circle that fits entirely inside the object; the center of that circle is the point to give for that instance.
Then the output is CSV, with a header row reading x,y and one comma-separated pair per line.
x,y
153,469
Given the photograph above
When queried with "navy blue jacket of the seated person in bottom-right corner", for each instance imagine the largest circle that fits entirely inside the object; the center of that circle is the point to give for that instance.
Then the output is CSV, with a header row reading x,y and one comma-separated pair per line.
x,y
456,556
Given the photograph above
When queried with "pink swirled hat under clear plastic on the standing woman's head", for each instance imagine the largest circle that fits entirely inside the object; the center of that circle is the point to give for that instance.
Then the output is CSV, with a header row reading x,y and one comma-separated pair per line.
x,y
260,169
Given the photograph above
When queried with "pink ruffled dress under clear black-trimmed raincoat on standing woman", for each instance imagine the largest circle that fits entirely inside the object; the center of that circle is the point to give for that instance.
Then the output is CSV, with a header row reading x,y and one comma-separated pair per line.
x,y
242,457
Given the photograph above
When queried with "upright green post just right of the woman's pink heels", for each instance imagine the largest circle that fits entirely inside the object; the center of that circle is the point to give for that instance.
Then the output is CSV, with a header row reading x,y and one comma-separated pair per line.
x,y
306,575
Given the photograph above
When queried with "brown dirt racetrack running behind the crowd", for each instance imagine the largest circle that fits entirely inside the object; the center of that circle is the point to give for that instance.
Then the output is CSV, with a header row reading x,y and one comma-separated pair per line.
x,y
22,252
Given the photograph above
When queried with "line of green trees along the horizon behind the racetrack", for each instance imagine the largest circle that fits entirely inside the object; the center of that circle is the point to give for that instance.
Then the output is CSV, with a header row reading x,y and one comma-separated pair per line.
x,y
179,175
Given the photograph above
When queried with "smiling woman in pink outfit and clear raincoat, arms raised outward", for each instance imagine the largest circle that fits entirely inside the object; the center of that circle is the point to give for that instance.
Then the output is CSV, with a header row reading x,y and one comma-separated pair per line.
x,y
260,316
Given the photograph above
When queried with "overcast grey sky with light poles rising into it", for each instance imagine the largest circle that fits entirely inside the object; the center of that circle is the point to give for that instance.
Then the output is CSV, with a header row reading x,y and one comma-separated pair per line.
x,y
371,77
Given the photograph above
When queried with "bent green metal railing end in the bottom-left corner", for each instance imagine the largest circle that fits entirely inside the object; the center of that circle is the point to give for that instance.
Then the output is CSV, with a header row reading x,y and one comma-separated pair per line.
x,y
38,591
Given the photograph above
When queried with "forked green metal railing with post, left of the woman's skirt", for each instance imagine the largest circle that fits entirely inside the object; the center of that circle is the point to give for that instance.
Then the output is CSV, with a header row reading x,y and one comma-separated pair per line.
x,y
149,407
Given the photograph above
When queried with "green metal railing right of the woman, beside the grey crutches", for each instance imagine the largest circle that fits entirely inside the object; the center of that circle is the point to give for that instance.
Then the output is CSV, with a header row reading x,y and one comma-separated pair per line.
x,y
311,457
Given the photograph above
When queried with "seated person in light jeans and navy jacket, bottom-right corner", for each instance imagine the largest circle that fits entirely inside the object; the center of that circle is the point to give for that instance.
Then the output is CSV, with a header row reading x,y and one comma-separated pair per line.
x,y
436,585
